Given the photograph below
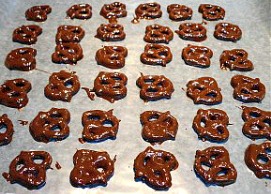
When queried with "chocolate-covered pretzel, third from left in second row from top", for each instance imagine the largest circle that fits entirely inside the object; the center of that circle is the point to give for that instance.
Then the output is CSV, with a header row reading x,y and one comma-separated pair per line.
x,y
111,32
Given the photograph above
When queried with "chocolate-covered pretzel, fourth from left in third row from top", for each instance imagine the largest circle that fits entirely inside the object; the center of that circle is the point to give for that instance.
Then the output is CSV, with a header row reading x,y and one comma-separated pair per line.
x,y
156,54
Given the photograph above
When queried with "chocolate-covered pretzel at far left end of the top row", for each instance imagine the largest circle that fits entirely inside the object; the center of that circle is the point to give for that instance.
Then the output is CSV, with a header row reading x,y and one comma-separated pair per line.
x,y
38,13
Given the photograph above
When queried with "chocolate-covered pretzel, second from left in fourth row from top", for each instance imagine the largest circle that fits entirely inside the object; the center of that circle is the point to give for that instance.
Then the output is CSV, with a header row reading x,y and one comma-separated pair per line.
x,y
62,85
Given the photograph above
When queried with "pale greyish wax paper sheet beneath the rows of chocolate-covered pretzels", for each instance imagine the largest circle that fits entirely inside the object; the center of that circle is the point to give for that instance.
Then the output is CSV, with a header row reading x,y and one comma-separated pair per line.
x,y
253,18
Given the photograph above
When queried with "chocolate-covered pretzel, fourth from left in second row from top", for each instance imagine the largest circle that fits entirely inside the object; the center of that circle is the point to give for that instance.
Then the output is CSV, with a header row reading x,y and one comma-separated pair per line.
x,y
158,34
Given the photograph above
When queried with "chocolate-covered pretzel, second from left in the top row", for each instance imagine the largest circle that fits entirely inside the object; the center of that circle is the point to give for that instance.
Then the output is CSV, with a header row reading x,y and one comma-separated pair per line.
x,y
80,11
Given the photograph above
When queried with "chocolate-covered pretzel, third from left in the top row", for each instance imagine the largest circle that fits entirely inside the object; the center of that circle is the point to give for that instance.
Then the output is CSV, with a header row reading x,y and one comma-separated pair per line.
x,y
113,10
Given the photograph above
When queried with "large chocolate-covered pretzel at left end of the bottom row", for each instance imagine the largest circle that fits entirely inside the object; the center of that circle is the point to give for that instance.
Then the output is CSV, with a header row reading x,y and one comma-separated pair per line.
x,y
27,170
